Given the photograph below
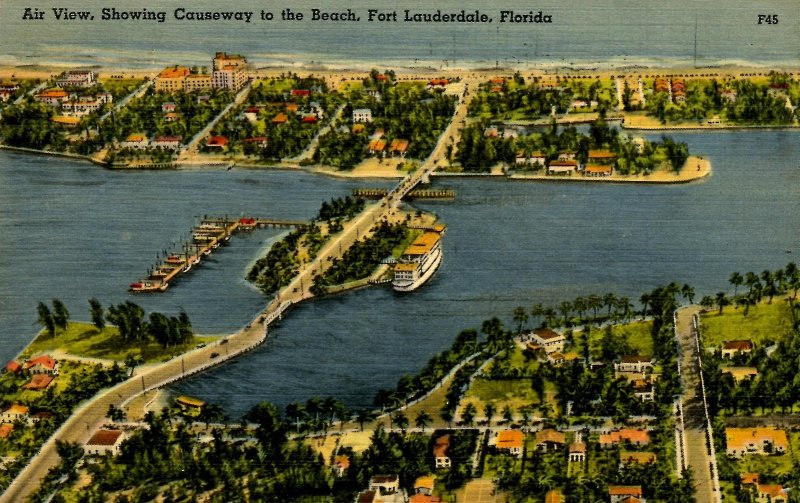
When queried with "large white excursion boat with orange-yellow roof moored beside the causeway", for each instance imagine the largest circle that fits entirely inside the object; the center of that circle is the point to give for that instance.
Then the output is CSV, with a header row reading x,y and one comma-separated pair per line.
x,y
419,261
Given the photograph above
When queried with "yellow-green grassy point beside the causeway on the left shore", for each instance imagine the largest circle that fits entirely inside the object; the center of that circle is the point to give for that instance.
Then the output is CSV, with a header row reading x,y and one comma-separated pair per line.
x,y
83,339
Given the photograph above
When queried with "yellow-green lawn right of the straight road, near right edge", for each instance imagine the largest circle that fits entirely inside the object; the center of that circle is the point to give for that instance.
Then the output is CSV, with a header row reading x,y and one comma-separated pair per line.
x,y
764,322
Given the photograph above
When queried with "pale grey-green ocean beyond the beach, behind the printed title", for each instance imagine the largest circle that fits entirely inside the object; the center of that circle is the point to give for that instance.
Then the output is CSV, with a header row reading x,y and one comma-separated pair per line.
x,y
611,32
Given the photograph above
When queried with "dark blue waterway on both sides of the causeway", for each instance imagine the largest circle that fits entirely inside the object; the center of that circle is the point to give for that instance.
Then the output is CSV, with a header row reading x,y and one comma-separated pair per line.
x,y
74,231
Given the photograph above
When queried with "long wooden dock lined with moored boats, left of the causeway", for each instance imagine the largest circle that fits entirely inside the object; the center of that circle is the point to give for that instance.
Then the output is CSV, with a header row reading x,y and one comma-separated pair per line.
x,y
207,237
